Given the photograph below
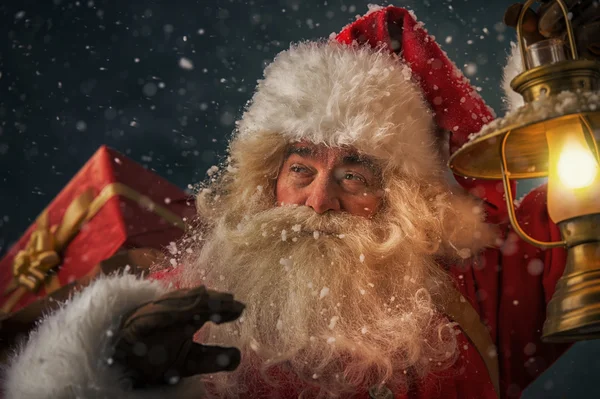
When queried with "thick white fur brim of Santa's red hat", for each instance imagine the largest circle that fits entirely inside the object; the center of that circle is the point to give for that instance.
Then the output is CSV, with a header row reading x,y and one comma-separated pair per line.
x,y
336,94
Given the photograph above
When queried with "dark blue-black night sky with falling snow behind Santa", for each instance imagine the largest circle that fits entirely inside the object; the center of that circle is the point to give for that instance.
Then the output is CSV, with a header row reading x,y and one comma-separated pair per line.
x,y
164,81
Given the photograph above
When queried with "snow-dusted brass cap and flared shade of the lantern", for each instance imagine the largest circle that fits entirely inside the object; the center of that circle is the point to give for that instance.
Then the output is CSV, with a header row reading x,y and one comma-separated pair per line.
x,y
526,146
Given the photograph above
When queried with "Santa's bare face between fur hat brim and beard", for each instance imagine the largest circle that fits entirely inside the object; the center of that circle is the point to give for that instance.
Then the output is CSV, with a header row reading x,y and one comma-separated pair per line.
x,y
329,179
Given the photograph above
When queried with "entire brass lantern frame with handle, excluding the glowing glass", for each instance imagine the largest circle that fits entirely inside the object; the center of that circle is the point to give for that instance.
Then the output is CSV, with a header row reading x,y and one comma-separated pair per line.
x,y
516,147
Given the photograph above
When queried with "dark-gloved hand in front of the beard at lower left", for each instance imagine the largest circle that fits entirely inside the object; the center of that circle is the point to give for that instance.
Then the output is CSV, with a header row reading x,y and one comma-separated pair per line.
x,y
155,342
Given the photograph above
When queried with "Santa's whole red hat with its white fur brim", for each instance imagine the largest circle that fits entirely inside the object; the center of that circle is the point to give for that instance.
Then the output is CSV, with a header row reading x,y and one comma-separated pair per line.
x,y
354,90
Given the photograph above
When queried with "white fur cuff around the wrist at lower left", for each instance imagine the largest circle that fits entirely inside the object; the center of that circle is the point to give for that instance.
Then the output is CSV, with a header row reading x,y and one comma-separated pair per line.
x,y
66,356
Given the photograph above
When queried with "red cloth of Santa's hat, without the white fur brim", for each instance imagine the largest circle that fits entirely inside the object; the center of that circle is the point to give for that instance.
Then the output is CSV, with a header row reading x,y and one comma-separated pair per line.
x,y
456,105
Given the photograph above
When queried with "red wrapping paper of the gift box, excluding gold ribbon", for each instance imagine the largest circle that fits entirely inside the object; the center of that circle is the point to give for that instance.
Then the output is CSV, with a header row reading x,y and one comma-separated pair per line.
x,y
121,223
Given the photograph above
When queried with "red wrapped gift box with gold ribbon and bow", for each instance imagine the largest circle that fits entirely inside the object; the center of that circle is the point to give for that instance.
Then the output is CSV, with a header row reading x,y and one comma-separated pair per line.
x,y
112,204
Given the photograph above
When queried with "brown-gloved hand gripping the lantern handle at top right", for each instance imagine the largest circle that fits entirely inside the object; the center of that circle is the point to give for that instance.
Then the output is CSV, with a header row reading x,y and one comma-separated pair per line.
x,y
549,22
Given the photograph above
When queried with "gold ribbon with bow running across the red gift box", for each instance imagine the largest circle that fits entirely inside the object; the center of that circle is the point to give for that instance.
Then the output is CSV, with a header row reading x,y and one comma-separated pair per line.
x,y
32,264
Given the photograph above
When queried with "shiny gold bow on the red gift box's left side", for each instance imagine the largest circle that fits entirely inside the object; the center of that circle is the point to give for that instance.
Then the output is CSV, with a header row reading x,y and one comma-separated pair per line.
x,y
41,254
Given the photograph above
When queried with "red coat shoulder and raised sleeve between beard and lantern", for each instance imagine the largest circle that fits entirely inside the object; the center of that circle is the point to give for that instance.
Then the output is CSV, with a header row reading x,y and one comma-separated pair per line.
x,y
510,287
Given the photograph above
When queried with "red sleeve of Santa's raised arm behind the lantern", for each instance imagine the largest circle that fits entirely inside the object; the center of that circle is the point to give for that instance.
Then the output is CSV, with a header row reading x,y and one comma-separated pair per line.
x,y
528,278
